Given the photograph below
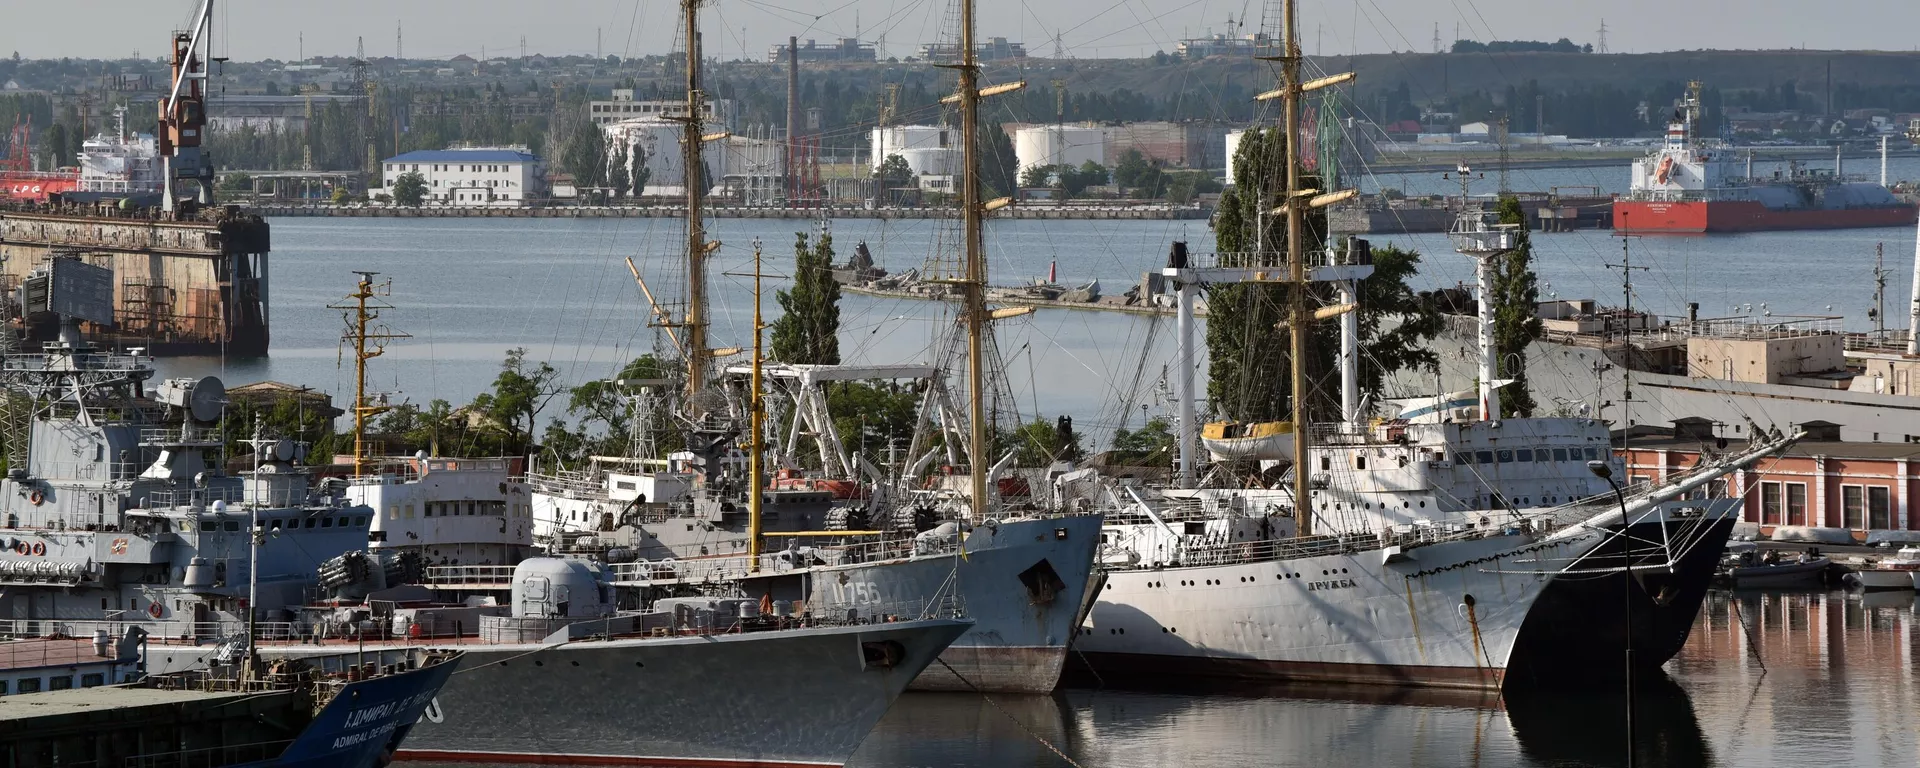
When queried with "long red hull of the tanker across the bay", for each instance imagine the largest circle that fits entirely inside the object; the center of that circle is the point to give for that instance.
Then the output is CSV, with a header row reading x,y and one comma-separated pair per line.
x,y
1740,216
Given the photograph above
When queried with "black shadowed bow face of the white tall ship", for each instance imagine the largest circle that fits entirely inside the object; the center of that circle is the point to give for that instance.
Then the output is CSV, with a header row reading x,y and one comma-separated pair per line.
x,y
1577,631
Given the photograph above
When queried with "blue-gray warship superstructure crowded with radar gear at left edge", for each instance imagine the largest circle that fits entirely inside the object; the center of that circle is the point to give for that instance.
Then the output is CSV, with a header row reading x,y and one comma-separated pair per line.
x,y
118,508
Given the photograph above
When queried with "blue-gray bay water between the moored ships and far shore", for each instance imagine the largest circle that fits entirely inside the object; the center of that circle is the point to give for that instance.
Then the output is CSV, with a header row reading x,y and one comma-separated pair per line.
x,y
473,289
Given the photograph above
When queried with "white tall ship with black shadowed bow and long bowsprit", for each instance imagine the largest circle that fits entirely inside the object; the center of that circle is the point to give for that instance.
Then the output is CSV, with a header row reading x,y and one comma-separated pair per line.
x,y
1422,550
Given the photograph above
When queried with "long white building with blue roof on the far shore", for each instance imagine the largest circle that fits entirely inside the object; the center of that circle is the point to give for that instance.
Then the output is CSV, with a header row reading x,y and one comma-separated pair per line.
x,y
473,178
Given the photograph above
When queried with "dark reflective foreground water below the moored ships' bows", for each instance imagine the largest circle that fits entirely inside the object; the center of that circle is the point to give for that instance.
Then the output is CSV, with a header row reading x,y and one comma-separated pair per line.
x,y
1765,681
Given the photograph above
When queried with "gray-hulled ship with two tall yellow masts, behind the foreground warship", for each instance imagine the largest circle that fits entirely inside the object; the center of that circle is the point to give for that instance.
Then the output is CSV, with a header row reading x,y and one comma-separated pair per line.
x,y
709,519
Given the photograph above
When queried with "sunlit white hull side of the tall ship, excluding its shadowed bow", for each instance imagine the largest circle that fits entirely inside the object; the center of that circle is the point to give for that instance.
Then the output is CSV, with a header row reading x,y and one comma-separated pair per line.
x,y
1443,615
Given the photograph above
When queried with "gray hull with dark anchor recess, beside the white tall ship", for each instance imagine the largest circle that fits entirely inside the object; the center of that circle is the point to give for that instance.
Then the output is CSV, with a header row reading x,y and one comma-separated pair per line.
x,y
1022,585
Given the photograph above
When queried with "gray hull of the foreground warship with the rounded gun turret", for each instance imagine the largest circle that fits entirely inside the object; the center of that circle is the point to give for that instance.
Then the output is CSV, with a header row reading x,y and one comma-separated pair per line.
x,y
792,698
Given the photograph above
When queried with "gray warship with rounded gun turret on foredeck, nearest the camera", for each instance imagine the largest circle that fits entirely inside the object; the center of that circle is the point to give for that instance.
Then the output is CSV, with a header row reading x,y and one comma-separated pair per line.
x,y
569,677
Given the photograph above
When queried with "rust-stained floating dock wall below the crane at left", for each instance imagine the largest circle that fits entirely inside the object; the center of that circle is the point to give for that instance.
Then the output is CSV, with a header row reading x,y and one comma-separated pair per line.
x,y
187,283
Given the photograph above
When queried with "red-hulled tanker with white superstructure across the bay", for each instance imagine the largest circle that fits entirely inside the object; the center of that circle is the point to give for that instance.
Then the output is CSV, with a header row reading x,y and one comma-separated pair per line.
x,y
1696,185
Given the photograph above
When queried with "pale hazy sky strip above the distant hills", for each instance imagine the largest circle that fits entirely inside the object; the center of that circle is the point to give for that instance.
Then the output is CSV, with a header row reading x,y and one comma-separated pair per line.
x,y
256,30
